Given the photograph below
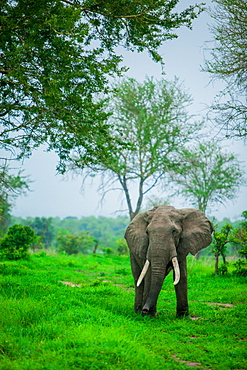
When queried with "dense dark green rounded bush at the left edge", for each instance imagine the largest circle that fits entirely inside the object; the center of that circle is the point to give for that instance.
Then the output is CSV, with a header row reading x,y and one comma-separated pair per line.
x,y
15,244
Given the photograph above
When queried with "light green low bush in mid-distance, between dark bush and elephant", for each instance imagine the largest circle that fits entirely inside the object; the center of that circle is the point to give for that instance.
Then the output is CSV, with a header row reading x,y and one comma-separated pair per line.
x,y
73,244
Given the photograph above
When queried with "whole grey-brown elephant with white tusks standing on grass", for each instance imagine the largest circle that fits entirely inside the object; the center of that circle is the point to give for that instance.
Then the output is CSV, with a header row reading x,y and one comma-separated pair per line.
x,y
159,241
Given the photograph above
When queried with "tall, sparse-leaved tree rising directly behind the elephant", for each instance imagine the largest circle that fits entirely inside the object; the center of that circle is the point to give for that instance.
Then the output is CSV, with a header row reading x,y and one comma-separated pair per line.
x,y
152,116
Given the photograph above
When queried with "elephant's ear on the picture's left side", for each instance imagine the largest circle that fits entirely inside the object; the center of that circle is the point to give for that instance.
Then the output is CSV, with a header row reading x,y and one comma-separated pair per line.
x,y
136,235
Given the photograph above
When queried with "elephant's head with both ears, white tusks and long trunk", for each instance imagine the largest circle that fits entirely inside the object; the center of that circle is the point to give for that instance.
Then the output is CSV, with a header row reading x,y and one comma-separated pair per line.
x,y
163,237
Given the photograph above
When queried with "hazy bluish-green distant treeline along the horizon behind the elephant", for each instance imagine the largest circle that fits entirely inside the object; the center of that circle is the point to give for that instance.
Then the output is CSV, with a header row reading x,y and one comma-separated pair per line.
x,y
105,232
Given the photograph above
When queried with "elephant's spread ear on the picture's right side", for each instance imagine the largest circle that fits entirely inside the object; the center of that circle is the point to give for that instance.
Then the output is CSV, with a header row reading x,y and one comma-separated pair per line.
x,y
197,230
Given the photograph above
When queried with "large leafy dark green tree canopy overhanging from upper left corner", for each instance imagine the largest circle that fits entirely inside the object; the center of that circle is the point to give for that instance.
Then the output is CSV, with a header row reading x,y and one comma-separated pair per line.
x,y
56,56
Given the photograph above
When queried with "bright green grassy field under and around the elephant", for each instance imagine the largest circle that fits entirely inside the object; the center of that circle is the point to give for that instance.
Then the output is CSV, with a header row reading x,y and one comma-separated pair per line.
x,y
76,312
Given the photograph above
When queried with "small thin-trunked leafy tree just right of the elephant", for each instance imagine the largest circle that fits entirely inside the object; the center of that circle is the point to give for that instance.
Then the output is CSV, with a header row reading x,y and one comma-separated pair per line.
x,y
219,244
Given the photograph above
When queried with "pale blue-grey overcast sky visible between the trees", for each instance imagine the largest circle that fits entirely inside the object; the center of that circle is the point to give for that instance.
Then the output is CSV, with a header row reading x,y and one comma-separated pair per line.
x,y
54,195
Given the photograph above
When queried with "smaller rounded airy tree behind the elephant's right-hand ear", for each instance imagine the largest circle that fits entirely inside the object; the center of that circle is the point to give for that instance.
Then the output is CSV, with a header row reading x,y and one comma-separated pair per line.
x,y
206,175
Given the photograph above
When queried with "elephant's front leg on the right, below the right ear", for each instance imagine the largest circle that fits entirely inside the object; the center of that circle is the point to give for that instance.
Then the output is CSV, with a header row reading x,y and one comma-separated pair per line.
x,y
182,290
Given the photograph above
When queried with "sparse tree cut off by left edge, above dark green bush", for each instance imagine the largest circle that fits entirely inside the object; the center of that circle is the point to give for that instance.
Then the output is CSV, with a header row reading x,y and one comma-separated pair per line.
x,y
11,186
